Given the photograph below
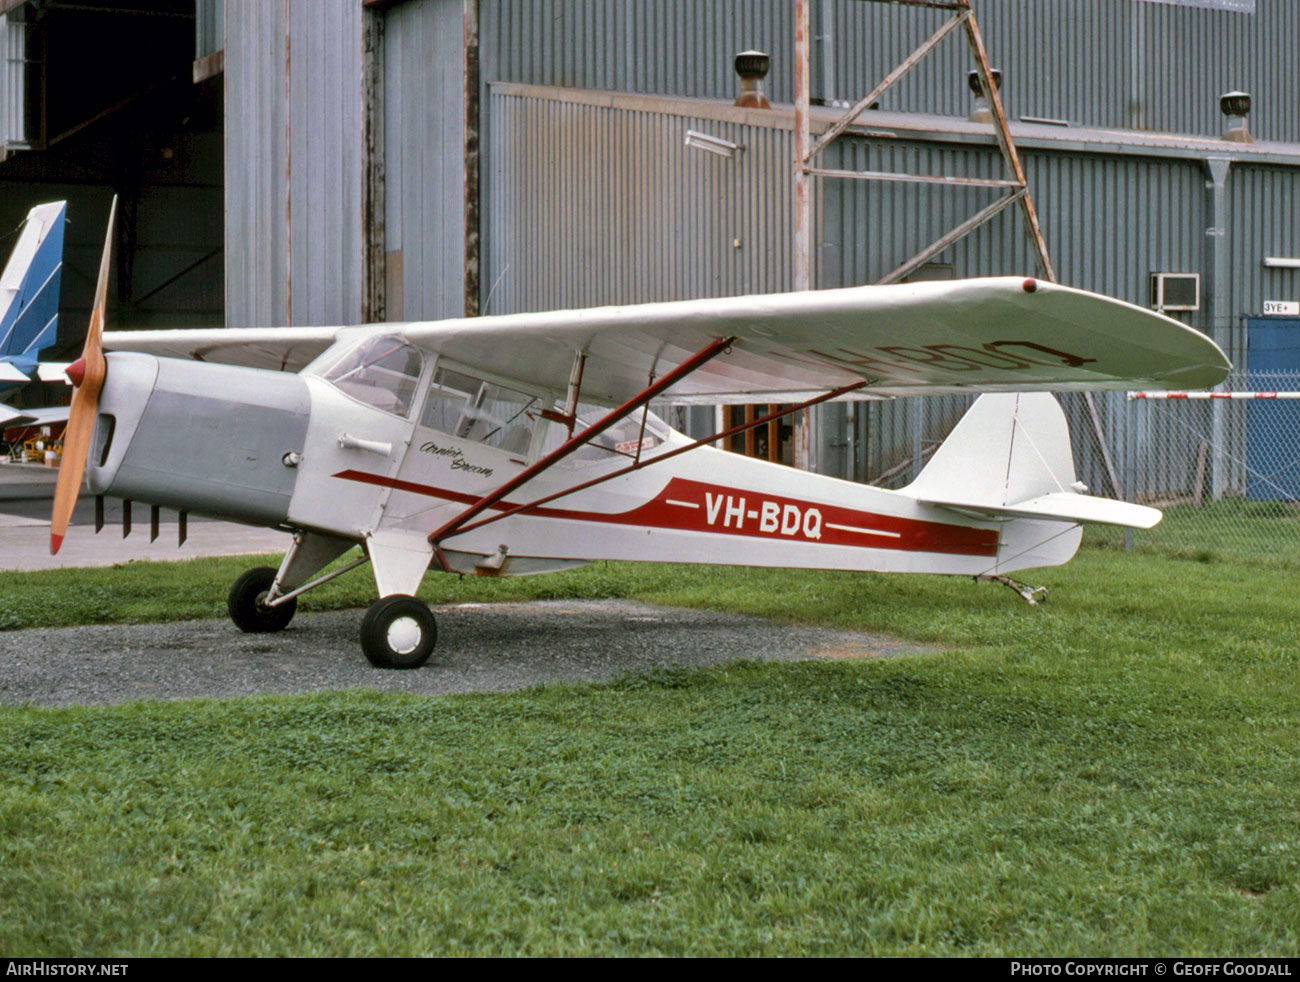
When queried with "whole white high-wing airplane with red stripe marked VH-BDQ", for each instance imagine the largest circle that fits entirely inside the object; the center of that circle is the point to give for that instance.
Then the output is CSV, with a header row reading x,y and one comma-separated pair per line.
x,y
522,444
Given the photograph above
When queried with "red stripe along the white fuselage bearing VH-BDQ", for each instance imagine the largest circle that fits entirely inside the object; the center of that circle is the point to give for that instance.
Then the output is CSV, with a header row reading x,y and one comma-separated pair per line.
x,y
695,507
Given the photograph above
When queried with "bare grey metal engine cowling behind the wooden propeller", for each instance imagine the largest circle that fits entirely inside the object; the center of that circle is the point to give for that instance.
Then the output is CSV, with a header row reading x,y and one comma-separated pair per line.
x,y
210,439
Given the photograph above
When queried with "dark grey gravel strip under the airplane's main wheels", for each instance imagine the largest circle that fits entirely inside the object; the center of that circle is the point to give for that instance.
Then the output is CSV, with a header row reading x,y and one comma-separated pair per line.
x,y
482,648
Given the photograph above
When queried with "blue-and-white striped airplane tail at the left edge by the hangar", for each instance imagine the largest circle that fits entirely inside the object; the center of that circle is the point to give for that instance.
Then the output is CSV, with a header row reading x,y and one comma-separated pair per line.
x,y
29,312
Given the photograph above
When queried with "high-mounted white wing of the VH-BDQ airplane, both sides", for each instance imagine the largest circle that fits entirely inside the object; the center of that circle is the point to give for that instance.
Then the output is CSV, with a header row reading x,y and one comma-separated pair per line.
x,y
991,335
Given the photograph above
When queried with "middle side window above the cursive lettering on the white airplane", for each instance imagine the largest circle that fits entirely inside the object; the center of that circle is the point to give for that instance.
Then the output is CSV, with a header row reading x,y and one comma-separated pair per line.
x,y
474,409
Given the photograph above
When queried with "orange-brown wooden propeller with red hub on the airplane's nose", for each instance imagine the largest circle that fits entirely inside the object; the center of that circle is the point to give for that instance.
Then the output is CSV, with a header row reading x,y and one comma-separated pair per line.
x,y
88,375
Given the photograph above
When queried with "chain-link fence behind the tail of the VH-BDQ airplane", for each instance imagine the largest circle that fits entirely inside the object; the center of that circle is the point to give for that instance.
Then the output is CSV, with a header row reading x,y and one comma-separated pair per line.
x,y
1224,470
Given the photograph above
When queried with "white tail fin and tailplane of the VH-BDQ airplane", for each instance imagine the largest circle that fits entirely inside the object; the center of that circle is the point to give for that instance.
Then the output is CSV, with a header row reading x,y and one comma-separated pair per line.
x,y
1009,457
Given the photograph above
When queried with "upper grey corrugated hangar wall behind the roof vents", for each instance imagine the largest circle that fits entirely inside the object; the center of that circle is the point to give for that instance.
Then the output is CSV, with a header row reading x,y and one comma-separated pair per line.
x,y
1113,64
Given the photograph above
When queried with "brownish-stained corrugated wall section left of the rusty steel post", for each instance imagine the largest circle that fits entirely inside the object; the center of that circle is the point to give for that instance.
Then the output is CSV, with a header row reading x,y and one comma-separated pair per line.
x,y
596,200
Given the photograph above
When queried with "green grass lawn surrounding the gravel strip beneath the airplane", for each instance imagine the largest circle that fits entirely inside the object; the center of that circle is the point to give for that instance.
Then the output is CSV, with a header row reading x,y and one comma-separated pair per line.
x,y
1115,773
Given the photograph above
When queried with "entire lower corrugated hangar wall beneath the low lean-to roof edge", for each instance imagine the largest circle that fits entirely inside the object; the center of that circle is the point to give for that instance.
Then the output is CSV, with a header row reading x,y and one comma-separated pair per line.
x,y
597,200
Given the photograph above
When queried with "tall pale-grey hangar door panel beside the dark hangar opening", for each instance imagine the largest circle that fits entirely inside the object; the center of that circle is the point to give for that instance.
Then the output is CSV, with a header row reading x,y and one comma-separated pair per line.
x,y
294,163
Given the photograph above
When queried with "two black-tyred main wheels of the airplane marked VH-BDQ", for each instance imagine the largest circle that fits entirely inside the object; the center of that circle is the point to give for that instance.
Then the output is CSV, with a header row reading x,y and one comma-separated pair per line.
x,y
397,631
